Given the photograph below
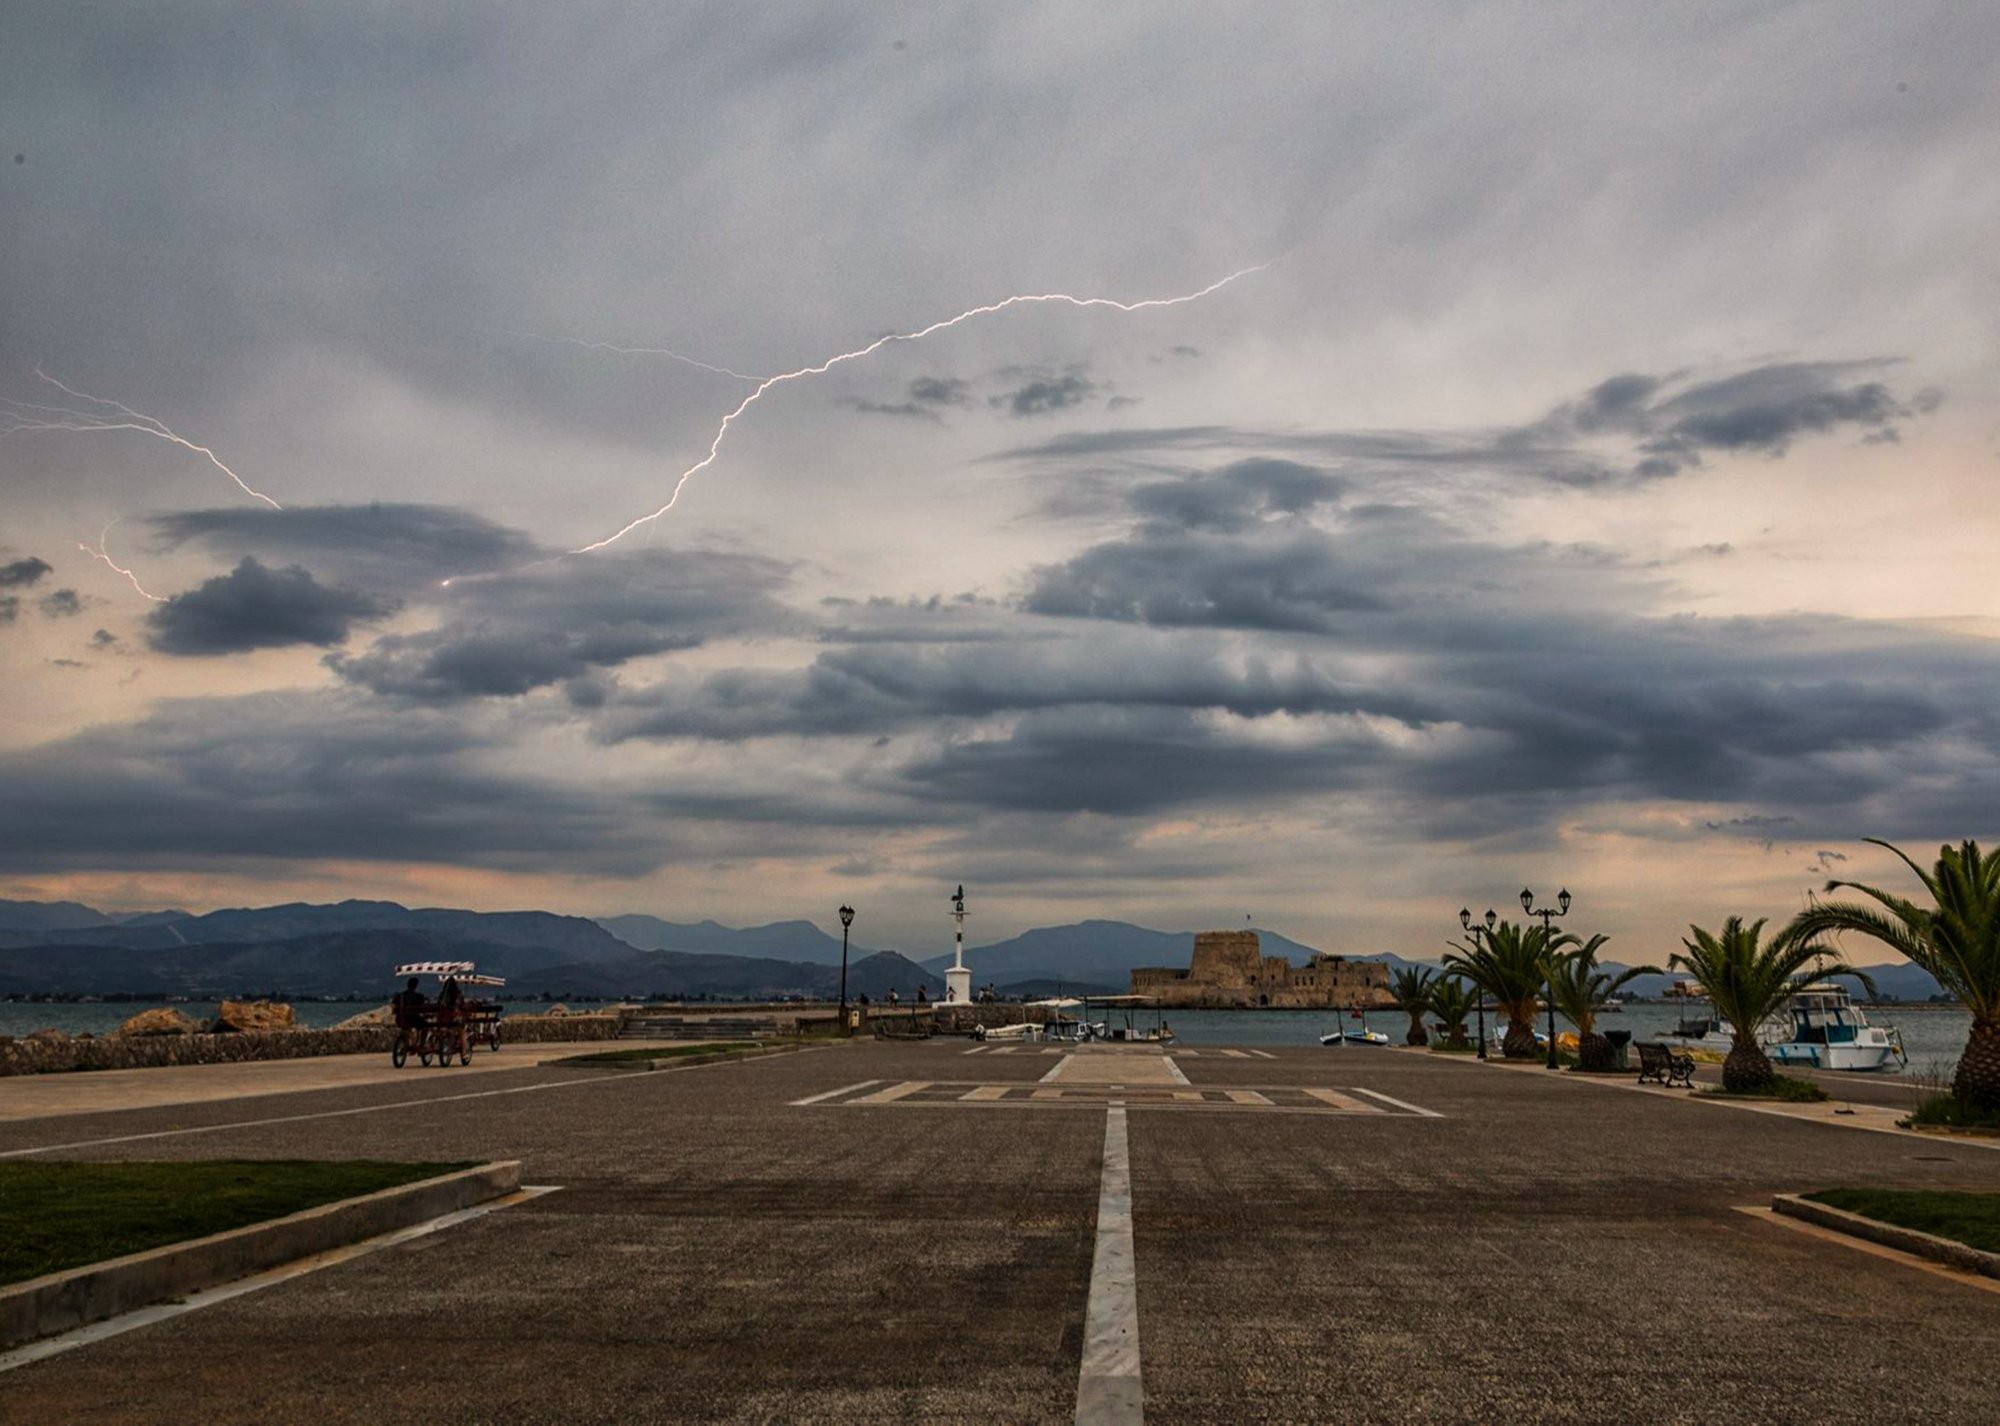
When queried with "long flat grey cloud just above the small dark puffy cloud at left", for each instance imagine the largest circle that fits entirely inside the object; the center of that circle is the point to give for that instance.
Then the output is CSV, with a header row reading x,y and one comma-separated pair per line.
x,y
381,547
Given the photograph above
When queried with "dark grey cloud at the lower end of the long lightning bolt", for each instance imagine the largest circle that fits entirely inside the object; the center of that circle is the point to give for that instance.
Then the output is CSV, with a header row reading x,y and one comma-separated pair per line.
x,y
519,633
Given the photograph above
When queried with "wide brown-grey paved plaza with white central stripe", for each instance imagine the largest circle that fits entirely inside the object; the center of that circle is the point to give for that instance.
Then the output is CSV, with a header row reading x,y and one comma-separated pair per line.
x,y
939,1231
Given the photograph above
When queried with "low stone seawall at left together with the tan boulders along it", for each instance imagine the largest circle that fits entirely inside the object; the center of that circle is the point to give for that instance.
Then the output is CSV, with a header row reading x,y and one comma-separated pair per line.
x,y
253,1031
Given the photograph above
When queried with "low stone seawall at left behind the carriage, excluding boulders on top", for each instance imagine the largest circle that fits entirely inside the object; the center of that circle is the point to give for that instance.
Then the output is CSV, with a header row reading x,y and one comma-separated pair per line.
x,y
157,1051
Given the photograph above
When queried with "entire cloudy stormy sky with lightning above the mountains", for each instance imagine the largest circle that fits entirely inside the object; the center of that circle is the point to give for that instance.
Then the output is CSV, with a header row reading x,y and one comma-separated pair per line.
x,y
1589,485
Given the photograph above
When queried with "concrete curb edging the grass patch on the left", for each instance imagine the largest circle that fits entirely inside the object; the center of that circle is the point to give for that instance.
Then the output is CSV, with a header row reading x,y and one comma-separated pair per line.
x,y
65,1301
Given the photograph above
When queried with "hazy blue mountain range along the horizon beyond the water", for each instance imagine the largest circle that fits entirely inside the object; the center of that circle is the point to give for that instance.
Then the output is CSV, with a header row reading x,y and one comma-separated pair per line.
x,y
353,947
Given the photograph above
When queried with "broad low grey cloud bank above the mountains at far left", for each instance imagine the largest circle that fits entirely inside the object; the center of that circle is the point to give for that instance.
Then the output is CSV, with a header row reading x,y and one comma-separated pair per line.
x,y
299,777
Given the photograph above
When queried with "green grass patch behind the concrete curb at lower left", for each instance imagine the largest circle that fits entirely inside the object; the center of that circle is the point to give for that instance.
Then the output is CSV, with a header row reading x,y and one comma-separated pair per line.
x,y
57,1217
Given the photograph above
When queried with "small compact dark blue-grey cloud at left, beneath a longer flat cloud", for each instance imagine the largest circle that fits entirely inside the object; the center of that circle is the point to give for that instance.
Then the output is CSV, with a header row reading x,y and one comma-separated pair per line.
x,y
257,607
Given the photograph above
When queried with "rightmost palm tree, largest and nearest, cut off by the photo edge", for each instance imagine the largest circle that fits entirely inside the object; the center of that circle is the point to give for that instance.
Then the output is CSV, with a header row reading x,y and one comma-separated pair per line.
x,y
1957,939
